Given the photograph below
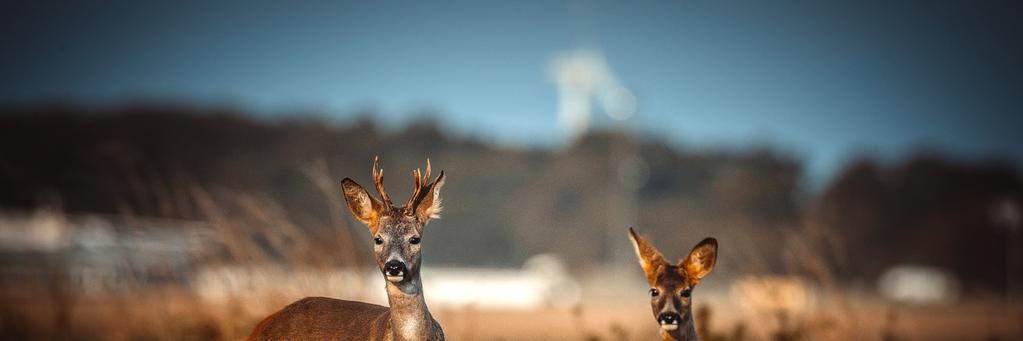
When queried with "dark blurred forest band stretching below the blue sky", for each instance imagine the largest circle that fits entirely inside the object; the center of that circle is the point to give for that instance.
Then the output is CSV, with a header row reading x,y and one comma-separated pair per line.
x,y
505,204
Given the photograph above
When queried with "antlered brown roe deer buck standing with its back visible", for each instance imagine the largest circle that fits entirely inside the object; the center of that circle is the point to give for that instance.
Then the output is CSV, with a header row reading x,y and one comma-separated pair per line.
x,y
397,233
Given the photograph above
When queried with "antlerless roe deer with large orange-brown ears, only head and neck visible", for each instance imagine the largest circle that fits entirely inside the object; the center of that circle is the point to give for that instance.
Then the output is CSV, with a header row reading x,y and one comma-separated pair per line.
x,y
672,285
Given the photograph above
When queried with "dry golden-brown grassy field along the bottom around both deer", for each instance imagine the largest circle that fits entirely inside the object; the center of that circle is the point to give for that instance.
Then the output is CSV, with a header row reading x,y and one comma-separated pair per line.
x,y
180,315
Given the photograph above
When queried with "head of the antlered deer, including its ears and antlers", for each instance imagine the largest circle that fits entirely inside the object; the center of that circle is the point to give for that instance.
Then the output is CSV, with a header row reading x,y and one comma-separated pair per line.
x,y
397,231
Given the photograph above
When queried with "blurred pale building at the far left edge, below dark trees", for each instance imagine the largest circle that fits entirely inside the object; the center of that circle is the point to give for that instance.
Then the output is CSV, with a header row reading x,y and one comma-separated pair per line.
x,y
99,254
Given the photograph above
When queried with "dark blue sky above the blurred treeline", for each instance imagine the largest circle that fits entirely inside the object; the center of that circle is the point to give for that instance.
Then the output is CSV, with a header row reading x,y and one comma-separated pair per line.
x,y
823,81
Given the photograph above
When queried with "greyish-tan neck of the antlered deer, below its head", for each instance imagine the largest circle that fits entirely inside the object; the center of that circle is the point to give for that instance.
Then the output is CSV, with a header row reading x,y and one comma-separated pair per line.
x,y
411,320
